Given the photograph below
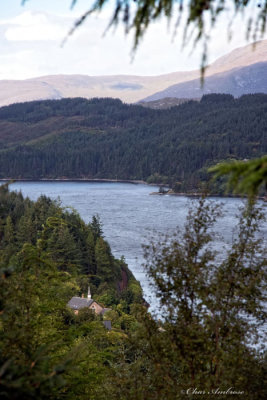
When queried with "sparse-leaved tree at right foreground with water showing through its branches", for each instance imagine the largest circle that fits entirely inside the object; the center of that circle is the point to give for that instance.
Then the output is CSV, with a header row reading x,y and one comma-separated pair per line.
x,y
213,307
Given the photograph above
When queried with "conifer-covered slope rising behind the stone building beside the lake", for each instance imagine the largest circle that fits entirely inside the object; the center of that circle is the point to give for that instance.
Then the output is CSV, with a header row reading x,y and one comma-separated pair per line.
x,y
59,236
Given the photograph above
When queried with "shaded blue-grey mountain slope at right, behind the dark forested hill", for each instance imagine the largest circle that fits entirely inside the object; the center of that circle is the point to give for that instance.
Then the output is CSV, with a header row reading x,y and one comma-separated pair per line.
x,y
239,81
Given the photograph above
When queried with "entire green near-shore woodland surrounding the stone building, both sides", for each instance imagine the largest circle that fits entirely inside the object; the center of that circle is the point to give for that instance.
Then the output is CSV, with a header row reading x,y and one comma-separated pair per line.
x,y
208,337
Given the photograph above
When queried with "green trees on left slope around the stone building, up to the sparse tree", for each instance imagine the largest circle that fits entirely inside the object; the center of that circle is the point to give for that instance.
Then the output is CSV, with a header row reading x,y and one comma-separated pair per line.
x,y
46,351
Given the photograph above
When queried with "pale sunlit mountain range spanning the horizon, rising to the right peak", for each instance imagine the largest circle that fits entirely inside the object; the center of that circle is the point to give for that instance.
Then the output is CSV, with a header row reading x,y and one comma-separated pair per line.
x,y
128,88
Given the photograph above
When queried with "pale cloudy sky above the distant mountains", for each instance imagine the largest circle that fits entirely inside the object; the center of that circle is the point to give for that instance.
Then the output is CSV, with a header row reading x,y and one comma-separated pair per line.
x,y
31,37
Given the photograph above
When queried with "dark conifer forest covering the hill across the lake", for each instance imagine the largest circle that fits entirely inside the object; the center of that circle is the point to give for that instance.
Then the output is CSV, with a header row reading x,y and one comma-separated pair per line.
x,y
104,138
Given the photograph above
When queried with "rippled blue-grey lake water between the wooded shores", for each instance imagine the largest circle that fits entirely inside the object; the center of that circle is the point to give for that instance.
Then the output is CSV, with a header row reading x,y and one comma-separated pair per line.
x,y
130,215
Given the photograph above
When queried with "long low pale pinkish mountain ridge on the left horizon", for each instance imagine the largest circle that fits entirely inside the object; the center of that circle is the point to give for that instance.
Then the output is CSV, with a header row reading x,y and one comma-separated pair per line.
x,y
127,88
